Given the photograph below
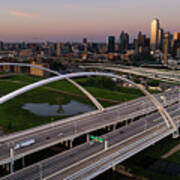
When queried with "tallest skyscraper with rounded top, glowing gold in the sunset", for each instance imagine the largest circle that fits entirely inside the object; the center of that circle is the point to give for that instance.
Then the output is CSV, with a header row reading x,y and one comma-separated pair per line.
x,y
155,26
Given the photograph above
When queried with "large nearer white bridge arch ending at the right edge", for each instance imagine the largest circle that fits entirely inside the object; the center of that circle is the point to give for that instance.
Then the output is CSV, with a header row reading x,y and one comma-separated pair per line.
x,y
166,117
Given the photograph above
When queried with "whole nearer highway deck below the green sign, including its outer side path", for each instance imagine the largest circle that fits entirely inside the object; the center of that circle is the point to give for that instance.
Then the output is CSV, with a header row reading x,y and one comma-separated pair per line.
x,y
78,162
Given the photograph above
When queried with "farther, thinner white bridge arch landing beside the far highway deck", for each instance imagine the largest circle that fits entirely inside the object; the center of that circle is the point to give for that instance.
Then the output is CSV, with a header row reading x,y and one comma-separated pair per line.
x,y
88,94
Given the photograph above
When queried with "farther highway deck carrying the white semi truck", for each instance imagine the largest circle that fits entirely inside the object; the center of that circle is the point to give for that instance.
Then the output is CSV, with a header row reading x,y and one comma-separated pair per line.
x,y
51,134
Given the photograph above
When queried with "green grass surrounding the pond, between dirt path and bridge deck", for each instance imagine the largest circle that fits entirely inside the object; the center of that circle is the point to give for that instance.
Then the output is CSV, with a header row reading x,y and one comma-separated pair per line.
x,y
14,118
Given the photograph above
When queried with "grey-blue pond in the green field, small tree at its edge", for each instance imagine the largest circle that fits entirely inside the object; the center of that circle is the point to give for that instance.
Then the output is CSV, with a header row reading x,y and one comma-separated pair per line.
x,y
46,110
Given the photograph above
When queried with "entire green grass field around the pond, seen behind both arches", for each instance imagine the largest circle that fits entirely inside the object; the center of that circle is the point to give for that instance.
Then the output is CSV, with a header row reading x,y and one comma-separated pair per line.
x,y
14,118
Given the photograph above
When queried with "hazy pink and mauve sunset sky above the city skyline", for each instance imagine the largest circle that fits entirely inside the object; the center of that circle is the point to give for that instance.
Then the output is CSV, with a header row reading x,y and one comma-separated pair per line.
x,y
71,20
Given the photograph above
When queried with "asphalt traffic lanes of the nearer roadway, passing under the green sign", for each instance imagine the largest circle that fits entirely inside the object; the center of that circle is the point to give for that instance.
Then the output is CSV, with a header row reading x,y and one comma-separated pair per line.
x,y
70,161
